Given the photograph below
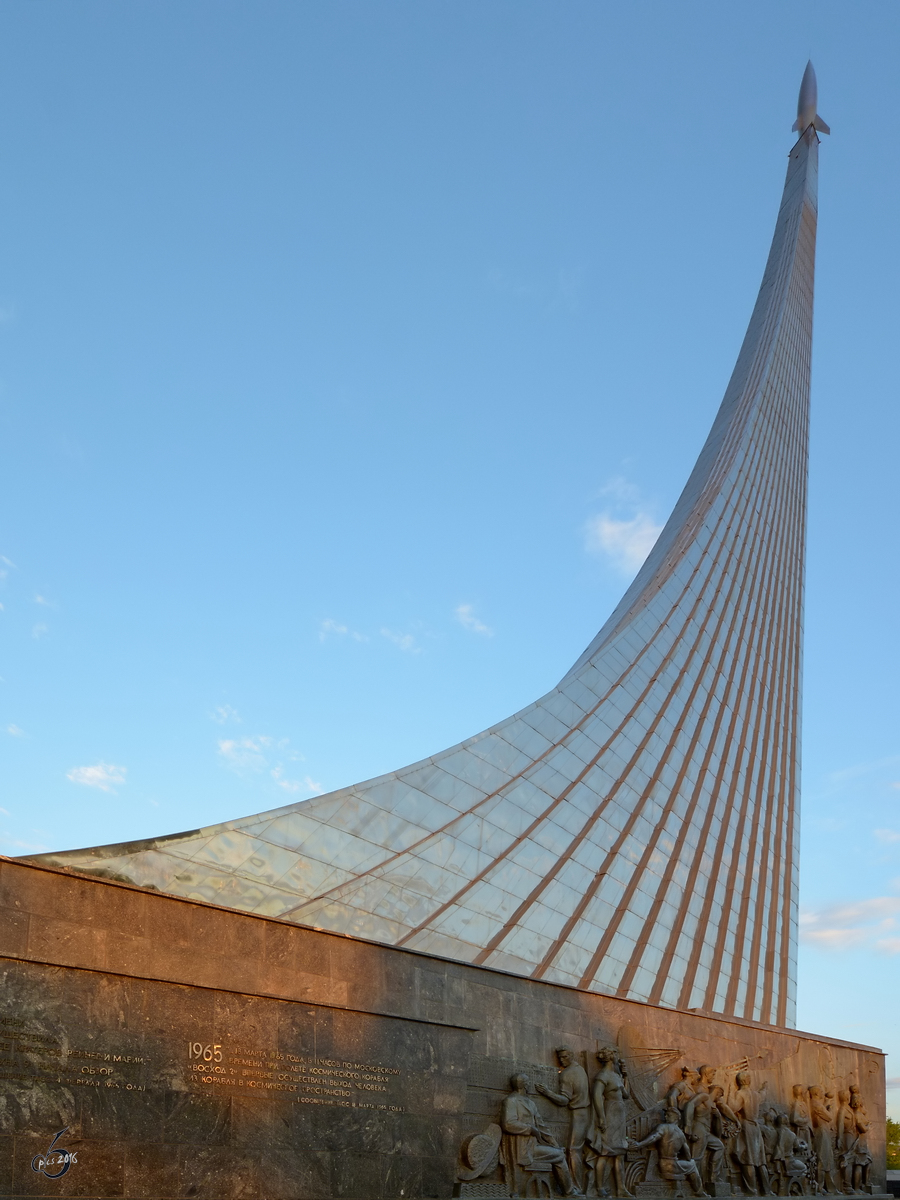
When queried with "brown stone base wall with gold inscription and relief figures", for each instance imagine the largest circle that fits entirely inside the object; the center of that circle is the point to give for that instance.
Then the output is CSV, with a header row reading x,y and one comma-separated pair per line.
x,y
154,1048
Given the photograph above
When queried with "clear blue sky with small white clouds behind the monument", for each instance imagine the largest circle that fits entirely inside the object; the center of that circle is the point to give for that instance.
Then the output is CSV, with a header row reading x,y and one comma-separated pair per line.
x,y
351,355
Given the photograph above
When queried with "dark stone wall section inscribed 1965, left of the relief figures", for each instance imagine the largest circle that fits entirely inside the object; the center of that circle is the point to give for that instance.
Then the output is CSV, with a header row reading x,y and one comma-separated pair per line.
x,y
169,1091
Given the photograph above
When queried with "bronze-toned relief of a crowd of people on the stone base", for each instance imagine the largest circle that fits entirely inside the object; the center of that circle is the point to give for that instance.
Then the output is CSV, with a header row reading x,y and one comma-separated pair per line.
x,y
698,1132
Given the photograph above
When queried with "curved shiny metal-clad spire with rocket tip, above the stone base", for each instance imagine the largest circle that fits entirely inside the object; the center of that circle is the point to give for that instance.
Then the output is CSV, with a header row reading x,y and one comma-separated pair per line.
x,y
634,832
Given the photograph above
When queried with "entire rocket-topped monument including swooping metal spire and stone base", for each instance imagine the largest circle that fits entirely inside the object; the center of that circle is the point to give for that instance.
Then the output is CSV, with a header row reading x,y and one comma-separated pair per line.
x,y
556,959
